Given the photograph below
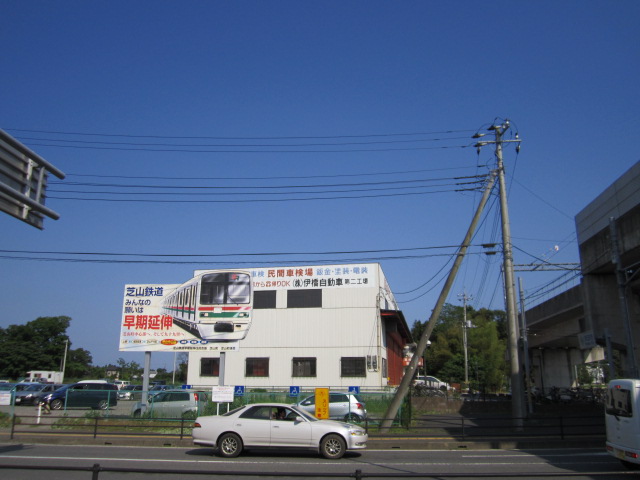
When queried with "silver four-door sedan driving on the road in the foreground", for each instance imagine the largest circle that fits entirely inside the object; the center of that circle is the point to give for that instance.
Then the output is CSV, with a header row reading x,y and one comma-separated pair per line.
x,y
276,425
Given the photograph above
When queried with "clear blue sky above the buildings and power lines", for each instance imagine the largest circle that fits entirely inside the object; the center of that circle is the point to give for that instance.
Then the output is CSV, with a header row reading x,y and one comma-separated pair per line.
x,y
273,94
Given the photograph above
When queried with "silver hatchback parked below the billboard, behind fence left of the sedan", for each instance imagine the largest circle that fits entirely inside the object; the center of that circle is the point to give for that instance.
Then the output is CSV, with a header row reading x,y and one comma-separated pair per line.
x,y
173,404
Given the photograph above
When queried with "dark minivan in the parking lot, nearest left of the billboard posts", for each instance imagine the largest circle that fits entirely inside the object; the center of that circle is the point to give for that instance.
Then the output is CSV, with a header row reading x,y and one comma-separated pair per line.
x,y
88,393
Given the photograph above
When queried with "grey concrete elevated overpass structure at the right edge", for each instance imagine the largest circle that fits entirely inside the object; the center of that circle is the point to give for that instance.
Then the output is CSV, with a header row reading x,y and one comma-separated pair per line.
x,y
600,318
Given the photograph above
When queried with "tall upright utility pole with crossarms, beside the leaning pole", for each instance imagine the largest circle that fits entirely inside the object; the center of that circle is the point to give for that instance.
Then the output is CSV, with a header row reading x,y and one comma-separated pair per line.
x,y
517,398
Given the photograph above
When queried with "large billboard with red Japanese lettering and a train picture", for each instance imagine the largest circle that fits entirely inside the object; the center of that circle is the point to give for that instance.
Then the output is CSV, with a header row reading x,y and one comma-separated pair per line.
x,y
210,312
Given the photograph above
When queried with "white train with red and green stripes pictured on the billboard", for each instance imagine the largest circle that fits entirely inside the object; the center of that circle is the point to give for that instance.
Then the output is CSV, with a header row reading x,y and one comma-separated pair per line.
x,y
215,305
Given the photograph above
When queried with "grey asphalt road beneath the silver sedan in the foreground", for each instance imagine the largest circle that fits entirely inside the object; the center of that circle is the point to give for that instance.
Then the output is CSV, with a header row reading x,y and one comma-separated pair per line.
x,y
164,462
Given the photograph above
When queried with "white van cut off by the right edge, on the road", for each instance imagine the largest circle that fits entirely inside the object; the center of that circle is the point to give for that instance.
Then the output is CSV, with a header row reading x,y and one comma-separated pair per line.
x,y
622,420
